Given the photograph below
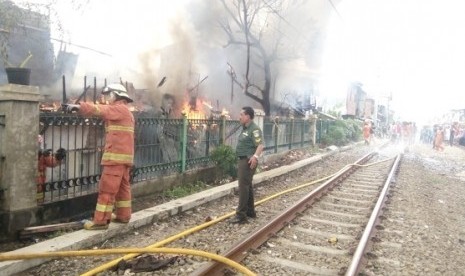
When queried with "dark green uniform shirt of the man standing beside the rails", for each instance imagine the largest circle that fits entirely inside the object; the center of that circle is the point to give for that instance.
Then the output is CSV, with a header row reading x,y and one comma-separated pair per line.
x,y
249,139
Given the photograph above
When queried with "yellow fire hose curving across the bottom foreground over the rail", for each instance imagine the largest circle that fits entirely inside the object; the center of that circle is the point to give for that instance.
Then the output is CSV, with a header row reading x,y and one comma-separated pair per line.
x,y
238,267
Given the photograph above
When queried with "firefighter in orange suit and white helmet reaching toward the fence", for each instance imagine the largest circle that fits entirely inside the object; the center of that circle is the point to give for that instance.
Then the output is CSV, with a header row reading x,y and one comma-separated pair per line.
x,y
117,159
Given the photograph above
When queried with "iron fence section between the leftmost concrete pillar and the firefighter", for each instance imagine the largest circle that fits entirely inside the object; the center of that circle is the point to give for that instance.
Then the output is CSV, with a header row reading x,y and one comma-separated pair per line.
x,y
82,138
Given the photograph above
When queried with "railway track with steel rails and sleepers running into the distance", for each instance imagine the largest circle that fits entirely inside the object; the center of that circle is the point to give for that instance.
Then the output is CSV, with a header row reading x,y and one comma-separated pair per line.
x,y
325,233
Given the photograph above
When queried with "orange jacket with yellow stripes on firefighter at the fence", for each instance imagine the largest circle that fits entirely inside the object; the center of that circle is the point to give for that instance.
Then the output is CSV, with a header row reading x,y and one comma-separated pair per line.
x,y
119,131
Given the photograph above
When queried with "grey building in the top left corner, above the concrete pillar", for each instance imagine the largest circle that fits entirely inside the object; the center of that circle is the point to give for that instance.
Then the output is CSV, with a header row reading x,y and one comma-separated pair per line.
x,y
25,31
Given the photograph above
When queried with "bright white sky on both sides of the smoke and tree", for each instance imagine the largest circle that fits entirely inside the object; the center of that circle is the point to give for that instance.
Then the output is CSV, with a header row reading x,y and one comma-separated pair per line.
x,y
409,50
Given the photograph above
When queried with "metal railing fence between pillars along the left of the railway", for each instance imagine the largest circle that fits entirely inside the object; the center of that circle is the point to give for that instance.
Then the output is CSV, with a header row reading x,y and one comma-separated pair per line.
x,y
162,147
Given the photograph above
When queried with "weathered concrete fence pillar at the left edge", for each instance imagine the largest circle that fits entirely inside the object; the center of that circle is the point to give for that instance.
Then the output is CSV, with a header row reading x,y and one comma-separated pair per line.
x,y
19,113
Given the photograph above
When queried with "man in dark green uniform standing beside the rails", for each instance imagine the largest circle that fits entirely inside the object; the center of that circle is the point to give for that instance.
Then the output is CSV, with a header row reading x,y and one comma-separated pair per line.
x,y
249,148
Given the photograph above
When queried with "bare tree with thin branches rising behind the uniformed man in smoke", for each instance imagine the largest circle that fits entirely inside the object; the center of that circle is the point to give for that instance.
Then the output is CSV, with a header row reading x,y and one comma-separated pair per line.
x,y
260,27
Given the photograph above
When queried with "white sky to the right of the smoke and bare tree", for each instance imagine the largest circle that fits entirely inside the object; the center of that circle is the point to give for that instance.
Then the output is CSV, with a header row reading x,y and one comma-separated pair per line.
x,y
410,49
